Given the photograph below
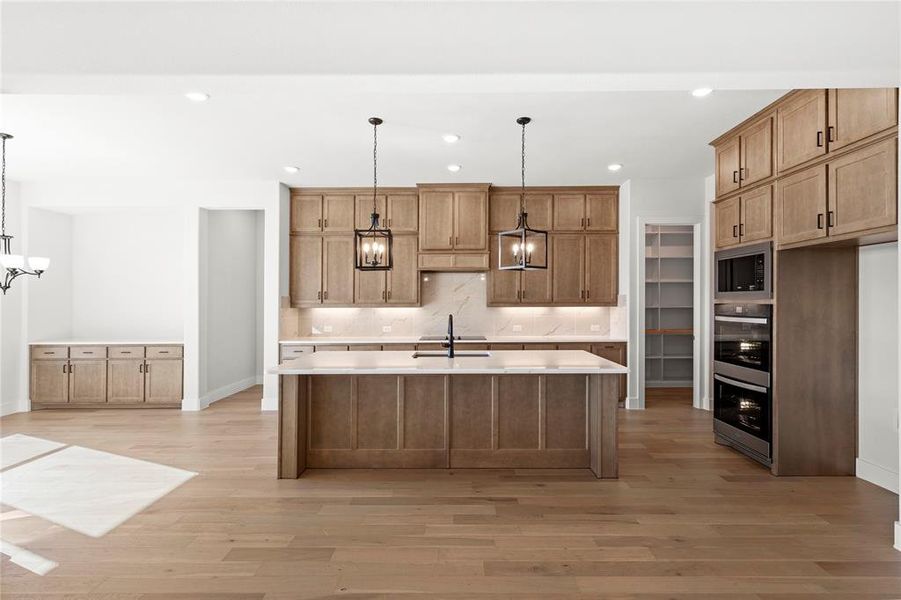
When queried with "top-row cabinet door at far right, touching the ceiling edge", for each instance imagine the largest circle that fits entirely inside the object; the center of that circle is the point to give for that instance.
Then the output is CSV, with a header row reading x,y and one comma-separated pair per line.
x,y
857,113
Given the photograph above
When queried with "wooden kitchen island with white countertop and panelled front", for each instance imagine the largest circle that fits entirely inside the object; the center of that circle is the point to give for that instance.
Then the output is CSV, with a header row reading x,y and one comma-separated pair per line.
x,y
503,409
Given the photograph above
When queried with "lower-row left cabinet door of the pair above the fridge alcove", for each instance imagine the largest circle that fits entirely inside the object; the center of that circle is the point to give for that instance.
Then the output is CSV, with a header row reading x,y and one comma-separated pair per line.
x,y
801,206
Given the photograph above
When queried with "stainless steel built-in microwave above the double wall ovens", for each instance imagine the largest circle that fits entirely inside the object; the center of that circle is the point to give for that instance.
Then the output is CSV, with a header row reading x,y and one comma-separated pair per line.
x,y
745,273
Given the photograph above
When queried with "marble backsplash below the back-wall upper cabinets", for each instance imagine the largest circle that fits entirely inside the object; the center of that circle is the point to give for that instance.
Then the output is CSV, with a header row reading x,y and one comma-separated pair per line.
x,y
464,295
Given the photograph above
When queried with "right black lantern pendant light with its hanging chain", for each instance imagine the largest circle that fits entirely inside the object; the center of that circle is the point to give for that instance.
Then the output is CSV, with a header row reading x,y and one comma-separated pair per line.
x,y
522,248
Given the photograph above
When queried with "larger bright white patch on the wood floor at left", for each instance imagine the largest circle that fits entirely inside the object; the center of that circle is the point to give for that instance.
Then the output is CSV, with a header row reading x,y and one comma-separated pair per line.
x,y
86,490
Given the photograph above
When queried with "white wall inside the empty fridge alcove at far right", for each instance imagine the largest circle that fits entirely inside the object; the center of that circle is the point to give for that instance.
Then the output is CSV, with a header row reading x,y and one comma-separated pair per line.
x,y
877,459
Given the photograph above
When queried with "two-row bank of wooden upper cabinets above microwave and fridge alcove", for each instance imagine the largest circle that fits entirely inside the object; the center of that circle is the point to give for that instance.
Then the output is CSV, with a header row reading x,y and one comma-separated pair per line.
x,y
817,166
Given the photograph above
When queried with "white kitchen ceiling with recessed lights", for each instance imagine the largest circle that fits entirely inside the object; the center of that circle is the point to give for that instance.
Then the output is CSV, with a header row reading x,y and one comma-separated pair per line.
x,y
95,89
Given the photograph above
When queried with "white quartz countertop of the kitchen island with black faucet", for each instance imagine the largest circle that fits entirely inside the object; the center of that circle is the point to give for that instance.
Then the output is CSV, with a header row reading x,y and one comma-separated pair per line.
x,y
542,362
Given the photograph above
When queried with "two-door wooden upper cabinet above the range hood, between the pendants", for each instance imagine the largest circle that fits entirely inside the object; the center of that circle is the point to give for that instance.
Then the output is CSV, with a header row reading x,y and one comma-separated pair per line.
x,y
453,218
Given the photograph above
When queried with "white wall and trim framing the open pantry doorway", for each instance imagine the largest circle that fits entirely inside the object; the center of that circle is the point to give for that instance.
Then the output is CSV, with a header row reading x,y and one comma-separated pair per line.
x,y
664,201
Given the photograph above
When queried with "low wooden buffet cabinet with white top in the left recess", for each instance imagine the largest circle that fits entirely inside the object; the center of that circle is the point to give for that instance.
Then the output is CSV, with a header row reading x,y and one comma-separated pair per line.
x,y
118,376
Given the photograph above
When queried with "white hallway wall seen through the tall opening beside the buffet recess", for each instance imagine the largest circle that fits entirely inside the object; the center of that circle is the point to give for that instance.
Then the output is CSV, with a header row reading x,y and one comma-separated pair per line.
x,y
232,310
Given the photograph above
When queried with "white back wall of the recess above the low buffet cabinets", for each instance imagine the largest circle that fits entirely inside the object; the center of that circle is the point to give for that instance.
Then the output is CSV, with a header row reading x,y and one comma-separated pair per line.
x,y
128,274
